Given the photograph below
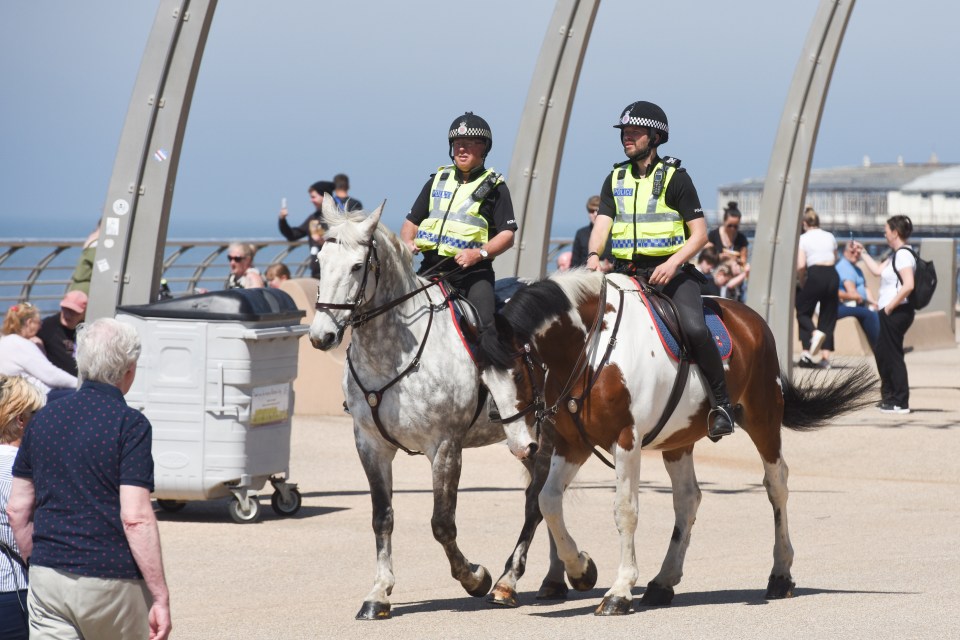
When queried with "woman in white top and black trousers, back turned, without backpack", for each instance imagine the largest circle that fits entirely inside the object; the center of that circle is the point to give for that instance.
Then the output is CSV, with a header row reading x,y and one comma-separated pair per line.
x,y
815,258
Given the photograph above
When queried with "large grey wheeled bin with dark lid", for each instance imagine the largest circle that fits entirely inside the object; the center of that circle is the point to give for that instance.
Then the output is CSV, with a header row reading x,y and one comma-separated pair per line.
x,y
215,378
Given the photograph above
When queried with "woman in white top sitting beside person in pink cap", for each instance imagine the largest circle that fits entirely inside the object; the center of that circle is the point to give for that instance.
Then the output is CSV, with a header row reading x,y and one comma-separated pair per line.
x,y
20,352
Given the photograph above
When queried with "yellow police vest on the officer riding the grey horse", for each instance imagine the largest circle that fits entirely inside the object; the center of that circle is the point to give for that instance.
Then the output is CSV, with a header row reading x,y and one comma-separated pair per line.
x,y
454,222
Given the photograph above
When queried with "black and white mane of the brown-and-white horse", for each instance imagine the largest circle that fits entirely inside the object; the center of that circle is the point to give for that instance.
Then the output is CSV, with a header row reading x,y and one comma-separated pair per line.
x,y
533,306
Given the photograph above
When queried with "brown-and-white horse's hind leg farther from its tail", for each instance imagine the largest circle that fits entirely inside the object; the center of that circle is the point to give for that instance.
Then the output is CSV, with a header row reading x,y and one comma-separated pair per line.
x,y
686,501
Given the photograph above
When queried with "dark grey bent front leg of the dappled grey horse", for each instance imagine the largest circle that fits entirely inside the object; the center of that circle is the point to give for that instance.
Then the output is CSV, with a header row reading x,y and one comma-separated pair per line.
x,y
447,463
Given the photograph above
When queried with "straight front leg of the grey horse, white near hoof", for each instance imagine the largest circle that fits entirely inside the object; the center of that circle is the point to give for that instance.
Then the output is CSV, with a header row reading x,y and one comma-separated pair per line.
x,y
378,465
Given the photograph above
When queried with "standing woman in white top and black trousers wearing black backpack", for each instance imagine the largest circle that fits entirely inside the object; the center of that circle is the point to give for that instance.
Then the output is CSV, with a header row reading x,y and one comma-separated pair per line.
x,y
896,314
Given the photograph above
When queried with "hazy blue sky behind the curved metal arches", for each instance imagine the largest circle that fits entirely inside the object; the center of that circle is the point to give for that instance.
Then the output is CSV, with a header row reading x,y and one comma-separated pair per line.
x,y
295,91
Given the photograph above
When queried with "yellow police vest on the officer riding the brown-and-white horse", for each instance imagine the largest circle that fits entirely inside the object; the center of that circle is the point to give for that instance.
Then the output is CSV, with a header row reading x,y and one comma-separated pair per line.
x,y
644,224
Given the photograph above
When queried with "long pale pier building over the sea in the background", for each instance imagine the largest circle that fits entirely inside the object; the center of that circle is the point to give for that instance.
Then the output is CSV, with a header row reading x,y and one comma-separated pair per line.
x,y
862,198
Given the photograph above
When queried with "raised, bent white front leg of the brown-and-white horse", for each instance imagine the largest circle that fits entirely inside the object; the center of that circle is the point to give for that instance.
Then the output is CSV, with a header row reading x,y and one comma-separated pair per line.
x,y
581,570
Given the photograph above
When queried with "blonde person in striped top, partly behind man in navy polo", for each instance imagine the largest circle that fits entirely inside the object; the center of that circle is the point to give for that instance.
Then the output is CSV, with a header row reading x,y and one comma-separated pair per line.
x,y
19,400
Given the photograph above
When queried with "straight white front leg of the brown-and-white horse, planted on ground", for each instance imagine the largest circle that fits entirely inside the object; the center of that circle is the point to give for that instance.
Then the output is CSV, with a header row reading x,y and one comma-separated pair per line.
x,y
618,600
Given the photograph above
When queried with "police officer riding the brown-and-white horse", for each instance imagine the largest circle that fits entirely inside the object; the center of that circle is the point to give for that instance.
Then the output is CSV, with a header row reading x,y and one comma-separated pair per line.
x,y
657,227
